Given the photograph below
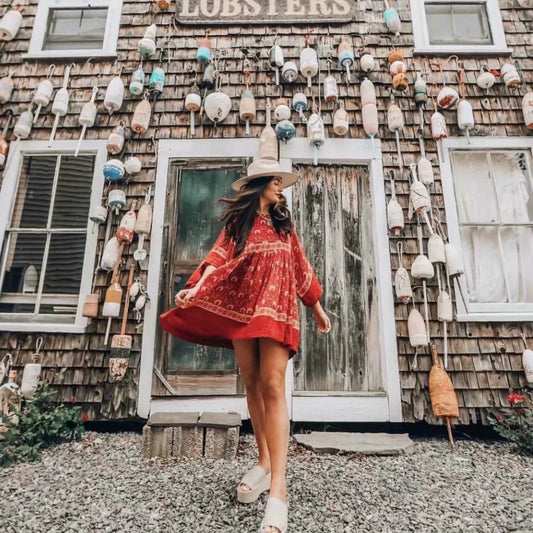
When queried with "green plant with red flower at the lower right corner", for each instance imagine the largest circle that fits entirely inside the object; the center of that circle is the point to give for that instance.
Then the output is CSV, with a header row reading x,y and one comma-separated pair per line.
x,y
517,425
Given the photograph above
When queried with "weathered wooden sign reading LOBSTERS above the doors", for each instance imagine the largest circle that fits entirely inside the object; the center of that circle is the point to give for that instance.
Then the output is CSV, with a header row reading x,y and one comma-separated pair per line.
x,y
263,11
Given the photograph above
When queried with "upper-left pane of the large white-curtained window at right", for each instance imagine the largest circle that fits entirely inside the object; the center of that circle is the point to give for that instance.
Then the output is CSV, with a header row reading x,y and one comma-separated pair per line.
x,y
476,201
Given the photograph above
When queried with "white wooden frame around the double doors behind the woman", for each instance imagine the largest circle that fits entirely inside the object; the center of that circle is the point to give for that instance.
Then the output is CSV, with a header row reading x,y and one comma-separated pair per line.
x,y
377,406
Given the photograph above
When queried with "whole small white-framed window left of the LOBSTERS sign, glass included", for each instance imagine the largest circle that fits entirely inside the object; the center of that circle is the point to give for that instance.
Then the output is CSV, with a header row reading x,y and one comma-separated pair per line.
x,y
76,28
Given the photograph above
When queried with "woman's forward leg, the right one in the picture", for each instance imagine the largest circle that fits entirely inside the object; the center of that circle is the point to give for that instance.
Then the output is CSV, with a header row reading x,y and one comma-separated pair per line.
x,y
273,364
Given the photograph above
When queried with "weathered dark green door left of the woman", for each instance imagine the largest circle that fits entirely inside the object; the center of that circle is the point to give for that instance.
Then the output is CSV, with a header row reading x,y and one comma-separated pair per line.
x,y
191,227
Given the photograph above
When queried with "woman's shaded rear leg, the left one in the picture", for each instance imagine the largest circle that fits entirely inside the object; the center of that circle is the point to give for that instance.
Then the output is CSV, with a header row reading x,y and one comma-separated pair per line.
x,y
247,354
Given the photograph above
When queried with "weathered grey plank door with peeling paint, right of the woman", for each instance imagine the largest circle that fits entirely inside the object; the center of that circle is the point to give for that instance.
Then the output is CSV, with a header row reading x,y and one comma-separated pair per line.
x,y
332,209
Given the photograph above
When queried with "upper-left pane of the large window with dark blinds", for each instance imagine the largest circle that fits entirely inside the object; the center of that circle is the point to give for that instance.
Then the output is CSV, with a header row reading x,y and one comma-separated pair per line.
x,y
34,192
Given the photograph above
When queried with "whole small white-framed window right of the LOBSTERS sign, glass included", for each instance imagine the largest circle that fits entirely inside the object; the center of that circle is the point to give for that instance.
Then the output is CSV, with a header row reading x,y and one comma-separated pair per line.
x,y
459,27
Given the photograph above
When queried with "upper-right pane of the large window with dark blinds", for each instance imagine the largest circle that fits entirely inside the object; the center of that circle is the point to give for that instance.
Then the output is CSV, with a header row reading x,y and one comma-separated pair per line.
x,y
73,192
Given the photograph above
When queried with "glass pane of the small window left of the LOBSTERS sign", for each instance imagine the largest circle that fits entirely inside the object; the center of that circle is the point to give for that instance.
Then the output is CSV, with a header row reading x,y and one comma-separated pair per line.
x,y
75,29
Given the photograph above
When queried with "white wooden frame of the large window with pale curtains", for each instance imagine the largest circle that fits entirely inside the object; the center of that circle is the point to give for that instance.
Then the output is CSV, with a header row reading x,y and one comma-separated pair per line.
x,y
468,311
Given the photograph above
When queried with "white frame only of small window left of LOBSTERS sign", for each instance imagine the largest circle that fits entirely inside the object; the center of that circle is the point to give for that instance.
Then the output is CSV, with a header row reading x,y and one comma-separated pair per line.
x,y
109,45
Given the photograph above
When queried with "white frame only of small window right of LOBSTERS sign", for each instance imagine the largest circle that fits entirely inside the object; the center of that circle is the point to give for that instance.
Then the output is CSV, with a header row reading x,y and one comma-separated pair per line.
x,y
420,31
